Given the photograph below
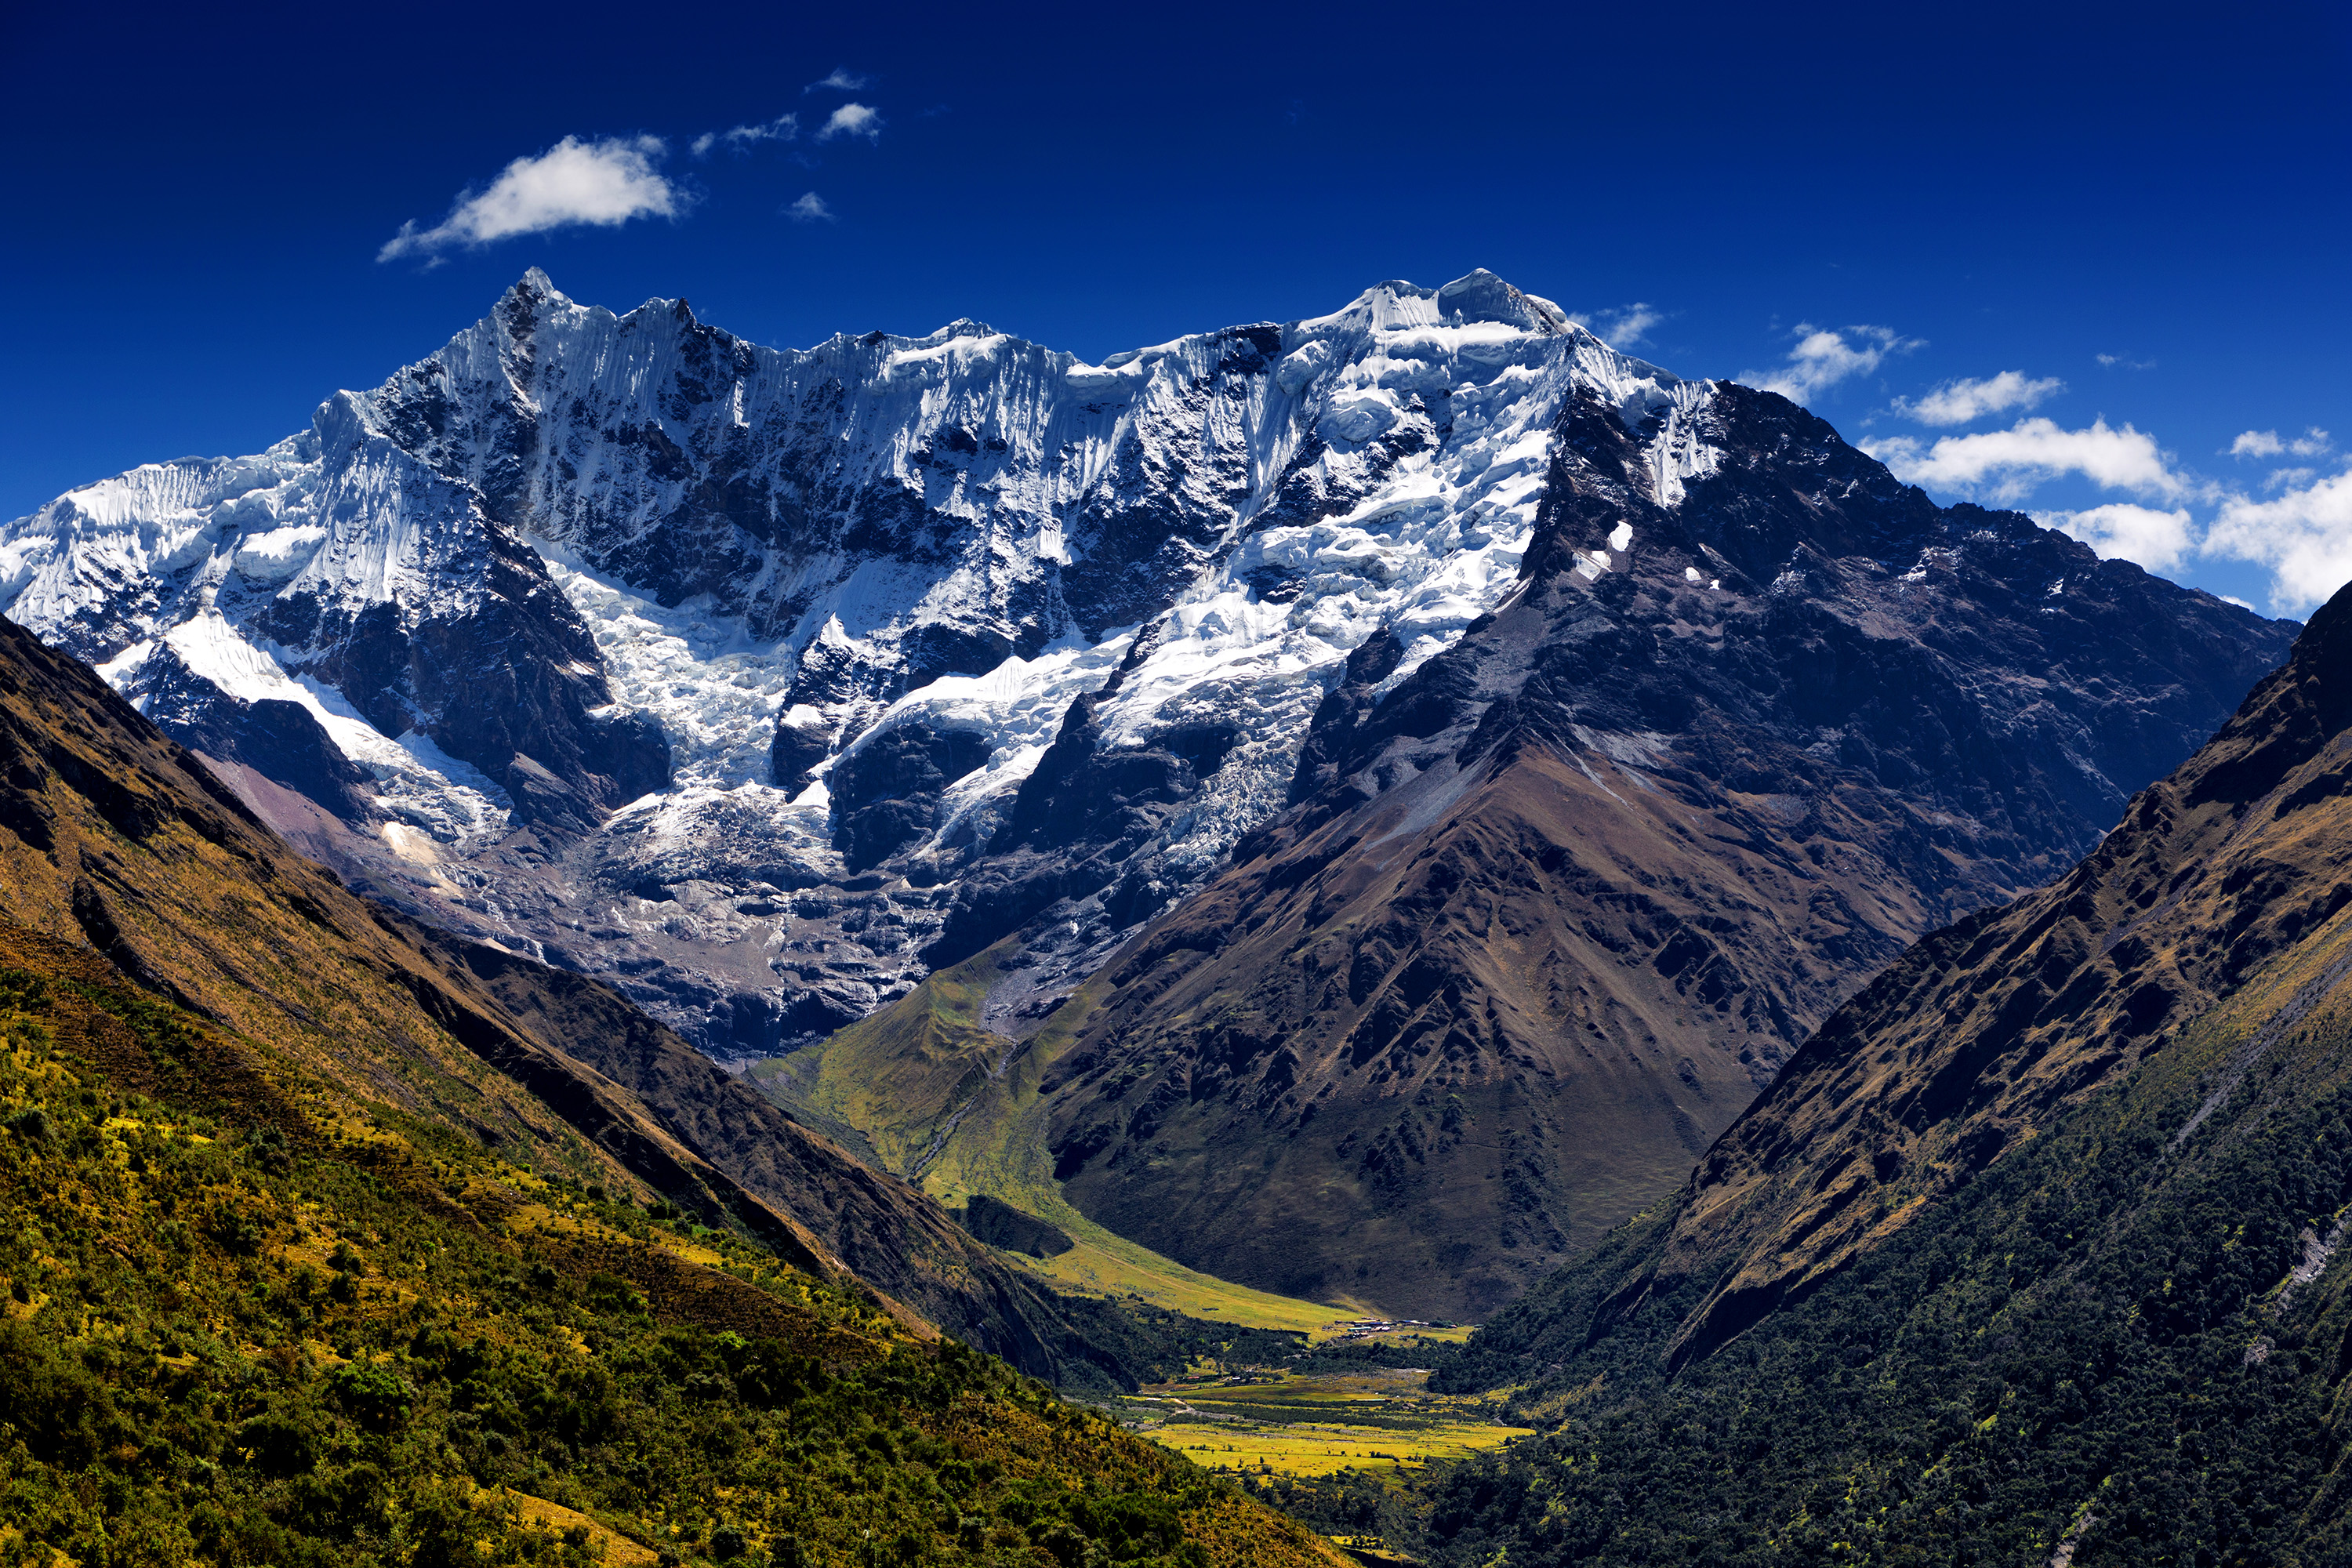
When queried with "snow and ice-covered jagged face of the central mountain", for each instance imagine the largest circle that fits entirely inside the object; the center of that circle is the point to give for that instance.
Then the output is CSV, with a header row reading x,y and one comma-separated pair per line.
x,y
719,669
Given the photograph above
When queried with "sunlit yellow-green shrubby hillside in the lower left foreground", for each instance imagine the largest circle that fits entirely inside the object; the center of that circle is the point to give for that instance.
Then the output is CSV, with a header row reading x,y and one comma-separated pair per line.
x,y
255,1320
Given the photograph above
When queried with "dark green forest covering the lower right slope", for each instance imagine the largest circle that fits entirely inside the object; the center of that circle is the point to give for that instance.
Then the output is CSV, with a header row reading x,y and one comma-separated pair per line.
x,y
2109,1346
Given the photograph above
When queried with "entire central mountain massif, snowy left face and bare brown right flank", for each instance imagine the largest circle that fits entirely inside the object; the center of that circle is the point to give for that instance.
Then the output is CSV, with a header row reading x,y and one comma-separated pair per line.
x,y
1429,765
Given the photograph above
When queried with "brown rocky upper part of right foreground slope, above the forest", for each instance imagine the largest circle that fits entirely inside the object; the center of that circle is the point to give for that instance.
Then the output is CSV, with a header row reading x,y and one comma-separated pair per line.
x,y
1991,1028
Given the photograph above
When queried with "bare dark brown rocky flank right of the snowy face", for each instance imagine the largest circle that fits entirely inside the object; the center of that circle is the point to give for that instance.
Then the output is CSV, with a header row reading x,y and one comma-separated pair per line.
x,y
1561,899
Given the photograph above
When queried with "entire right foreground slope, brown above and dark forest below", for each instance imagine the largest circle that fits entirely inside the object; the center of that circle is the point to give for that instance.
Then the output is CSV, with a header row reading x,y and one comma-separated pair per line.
x,y
2031,1254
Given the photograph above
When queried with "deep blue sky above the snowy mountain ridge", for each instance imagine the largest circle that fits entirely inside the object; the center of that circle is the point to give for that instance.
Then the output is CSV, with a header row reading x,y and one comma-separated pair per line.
x,y
1996,187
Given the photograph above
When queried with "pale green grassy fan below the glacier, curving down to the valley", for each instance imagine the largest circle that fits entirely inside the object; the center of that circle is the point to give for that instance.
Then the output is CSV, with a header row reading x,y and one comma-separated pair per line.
x,y
933,1094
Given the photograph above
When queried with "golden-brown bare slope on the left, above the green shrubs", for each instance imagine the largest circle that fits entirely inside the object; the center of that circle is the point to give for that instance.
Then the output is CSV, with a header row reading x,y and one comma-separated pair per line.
x,y
114,836
